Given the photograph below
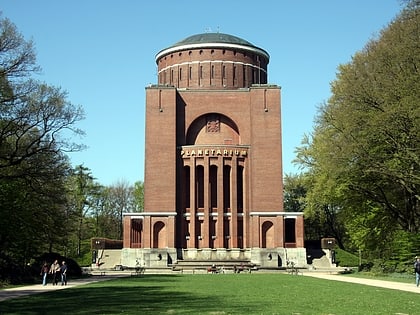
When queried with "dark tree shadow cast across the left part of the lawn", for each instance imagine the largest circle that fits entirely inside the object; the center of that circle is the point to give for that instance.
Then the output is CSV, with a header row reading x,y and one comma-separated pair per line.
x,y
145,295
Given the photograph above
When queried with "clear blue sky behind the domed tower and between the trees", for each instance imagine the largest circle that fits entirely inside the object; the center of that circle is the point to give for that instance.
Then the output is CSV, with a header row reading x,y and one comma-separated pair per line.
x,y
102,53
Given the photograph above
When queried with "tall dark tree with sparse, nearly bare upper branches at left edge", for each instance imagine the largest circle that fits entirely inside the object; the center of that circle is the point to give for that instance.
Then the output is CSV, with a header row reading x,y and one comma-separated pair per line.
x,y
35,121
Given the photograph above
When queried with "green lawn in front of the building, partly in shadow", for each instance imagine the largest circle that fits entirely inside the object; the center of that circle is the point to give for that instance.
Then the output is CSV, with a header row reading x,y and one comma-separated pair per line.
x,y
217,295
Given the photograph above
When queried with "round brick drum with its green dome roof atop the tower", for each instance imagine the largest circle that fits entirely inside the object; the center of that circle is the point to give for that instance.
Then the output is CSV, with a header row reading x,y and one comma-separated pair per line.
x,y
212,61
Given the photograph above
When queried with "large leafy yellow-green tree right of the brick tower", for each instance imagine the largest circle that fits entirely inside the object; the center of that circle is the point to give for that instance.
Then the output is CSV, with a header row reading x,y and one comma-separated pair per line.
x,y
364,155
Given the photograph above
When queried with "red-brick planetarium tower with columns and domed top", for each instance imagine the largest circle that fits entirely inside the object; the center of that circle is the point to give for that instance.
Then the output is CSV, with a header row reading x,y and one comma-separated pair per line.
x,y
213,161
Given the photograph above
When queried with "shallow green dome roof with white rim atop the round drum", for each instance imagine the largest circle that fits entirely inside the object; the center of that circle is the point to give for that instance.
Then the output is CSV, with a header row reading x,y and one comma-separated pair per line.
x,y
212,40
